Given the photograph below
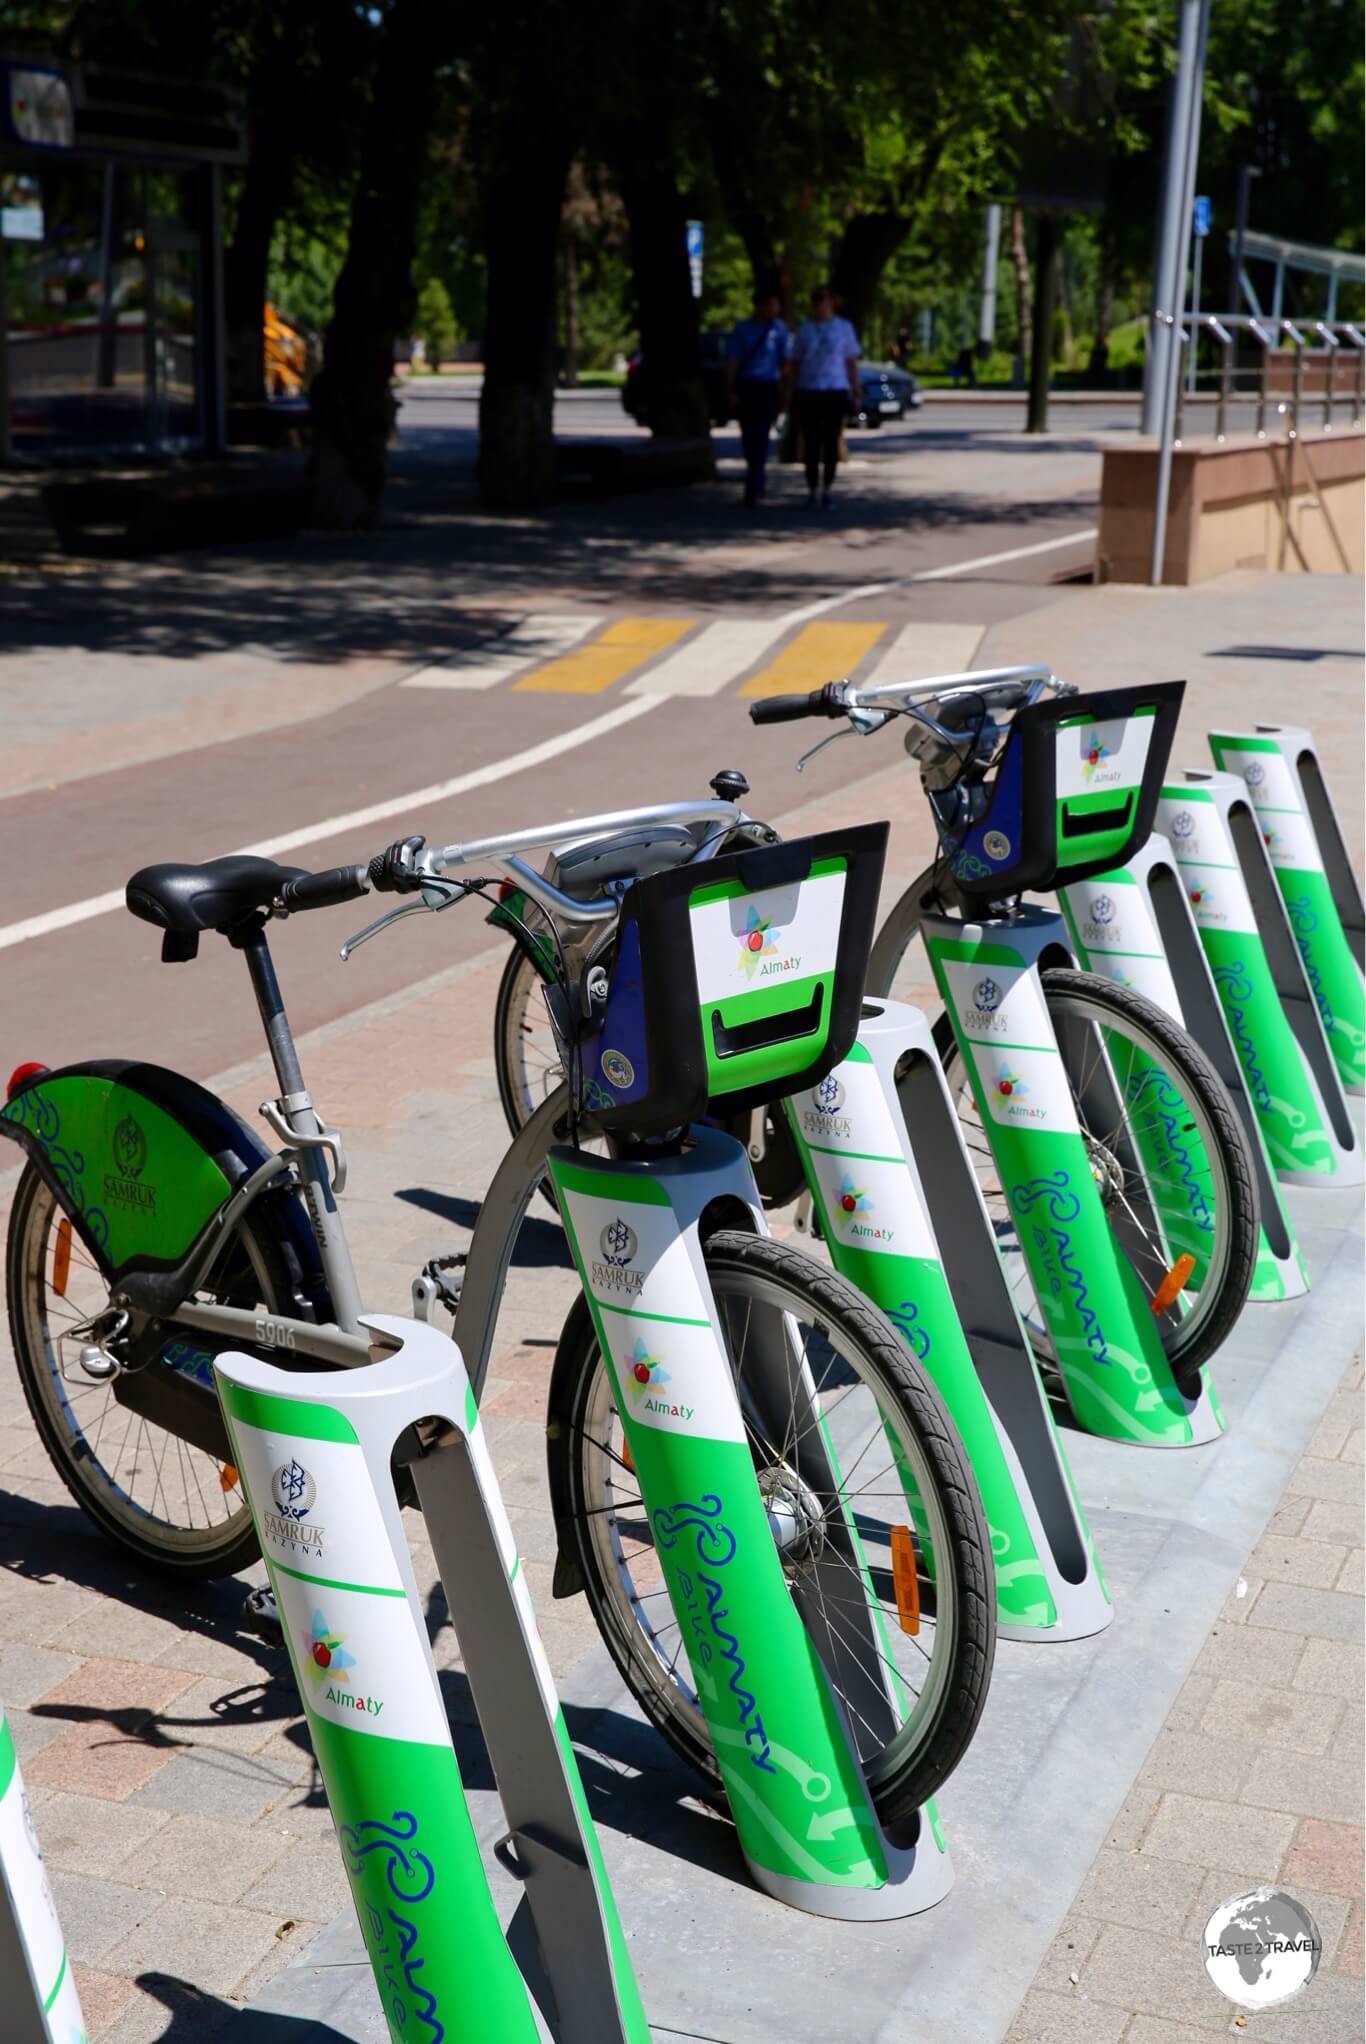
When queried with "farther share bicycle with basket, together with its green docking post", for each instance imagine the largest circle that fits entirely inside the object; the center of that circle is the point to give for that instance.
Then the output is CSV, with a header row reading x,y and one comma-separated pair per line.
x,y
1113,1160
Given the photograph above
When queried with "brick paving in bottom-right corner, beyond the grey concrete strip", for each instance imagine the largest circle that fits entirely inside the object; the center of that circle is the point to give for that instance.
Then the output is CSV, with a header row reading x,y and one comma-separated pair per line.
x,y
1257,1777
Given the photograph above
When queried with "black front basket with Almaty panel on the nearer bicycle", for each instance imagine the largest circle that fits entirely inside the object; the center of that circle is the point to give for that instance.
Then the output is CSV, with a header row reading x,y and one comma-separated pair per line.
x,y
735,982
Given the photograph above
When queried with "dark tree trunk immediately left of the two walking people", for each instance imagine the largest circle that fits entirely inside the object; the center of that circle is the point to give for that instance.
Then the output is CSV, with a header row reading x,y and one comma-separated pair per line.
x,y
670,342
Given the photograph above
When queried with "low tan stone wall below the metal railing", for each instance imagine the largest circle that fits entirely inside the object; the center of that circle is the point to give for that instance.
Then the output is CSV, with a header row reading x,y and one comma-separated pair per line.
x,y
1228,508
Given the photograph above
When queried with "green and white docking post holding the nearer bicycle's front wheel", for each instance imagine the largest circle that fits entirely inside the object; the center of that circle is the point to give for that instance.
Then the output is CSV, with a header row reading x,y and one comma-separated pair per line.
x,y
786,1755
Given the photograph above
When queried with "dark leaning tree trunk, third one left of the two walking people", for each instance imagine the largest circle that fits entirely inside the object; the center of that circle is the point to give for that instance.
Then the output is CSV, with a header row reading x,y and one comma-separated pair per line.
x,y
351,400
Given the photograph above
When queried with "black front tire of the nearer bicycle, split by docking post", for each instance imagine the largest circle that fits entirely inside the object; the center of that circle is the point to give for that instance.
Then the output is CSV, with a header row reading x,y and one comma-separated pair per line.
x,y
921,1409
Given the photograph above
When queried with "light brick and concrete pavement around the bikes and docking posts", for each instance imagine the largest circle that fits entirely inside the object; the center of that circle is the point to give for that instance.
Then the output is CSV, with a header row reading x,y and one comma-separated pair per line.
x,y
169,1765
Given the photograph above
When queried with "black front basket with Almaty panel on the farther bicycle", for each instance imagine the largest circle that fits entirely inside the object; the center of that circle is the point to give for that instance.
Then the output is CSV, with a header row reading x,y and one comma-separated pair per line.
x,y
1075,794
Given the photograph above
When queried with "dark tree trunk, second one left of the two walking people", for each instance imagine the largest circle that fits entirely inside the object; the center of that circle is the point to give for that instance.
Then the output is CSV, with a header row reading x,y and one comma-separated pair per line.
x,y
522,230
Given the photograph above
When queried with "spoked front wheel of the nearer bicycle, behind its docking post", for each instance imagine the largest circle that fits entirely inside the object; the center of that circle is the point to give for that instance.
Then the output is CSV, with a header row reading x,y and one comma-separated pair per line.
x,y
903,1489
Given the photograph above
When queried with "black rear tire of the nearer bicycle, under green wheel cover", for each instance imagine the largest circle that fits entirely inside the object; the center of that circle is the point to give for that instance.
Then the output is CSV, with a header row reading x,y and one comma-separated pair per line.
x,y
210,1565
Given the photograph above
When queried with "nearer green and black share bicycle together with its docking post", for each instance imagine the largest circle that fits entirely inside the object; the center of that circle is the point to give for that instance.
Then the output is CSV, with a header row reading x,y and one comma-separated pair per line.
x,y
152,1232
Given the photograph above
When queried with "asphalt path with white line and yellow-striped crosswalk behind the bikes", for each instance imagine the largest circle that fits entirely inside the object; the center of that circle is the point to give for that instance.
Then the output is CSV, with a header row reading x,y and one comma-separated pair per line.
x,y
1013,516
